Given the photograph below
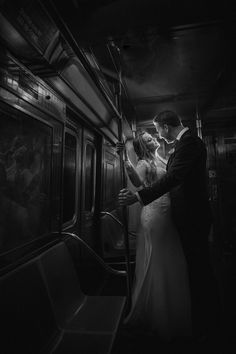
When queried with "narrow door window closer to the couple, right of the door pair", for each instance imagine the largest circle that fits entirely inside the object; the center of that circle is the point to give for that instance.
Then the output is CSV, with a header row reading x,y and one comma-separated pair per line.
x,y
89,177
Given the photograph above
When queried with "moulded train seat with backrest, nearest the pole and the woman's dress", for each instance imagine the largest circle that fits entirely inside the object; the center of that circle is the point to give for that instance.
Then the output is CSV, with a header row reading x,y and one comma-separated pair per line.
x,y
88,323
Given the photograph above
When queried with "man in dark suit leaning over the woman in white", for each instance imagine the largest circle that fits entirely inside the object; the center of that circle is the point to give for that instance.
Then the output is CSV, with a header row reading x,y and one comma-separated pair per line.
x,y
186,181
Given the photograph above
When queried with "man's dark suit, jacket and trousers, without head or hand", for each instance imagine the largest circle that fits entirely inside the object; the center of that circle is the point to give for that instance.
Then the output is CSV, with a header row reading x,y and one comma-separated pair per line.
x,y
187,183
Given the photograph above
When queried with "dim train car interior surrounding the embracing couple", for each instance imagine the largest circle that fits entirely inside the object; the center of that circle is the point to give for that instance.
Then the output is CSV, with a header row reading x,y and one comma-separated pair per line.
x,y
76,77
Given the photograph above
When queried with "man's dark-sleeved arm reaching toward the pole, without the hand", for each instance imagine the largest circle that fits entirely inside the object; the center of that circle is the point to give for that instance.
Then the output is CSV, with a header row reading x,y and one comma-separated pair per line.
x,y
186,155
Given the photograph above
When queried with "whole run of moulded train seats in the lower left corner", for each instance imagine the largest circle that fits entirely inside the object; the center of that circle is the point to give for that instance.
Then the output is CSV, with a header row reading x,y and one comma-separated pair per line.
x,y
43,309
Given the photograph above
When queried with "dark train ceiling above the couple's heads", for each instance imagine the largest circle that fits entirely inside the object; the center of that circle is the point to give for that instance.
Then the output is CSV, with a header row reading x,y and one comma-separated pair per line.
x,y
176,55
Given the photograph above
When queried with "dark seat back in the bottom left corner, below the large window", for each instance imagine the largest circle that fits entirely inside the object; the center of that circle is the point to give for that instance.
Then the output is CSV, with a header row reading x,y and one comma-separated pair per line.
x,y
27,319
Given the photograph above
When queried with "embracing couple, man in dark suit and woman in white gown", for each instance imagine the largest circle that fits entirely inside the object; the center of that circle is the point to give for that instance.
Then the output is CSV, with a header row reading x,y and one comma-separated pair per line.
x,y
175,292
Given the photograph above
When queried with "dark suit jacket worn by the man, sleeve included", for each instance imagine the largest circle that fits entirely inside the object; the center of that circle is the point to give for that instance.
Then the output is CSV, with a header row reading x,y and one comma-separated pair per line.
x,y
186,180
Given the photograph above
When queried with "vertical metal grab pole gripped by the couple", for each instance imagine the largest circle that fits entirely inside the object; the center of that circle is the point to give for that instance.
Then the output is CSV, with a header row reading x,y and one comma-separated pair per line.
x,y
124,208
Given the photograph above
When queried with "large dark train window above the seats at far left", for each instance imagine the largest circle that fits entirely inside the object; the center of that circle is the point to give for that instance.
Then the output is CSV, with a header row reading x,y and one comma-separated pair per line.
x,y
25,179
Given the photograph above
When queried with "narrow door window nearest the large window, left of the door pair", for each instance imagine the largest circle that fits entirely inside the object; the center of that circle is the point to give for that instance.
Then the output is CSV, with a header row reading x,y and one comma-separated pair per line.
x,y
69,188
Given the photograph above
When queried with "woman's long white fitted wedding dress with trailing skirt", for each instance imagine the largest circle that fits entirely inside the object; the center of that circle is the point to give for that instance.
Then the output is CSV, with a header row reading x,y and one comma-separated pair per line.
x,y
161,297
